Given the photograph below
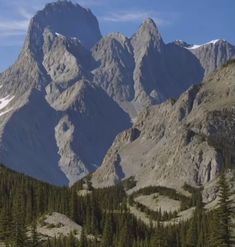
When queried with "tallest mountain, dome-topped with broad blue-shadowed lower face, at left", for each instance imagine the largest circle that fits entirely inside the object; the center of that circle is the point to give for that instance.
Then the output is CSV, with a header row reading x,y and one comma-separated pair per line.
x,y
54,120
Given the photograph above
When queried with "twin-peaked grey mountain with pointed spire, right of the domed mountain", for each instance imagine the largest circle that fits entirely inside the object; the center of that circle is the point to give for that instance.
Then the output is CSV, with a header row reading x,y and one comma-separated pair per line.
x,y
142,70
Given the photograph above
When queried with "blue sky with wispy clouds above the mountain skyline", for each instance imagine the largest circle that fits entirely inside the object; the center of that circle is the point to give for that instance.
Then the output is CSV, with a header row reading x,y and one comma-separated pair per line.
x,y
195,21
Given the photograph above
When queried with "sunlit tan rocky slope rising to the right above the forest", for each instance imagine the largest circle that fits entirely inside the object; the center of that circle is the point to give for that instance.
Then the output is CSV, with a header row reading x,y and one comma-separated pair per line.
x,y
189,140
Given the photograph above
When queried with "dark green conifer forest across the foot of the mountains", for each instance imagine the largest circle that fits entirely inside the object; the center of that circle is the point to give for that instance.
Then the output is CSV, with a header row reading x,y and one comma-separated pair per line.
x,y
105,217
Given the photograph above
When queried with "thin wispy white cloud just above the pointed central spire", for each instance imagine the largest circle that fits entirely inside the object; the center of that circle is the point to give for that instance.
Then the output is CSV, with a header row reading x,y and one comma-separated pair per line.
x,y
136,16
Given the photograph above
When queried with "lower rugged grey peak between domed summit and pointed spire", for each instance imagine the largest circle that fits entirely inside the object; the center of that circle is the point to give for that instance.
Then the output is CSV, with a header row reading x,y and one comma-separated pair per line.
x,y
115,62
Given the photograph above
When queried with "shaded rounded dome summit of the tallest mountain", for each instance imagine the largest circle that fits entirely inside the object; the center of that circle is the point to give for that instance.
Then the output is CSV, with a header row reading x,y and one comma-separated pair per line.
x,y
68,19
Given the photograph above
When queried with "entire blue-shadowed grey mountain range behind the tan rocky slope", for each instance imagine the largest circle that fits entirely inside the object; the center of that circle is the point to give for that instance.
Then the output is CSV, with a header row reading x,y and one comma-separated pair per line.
x,y
71,91
